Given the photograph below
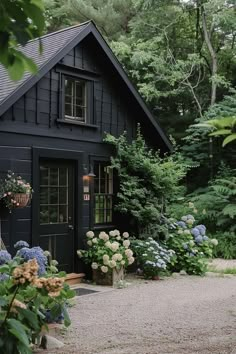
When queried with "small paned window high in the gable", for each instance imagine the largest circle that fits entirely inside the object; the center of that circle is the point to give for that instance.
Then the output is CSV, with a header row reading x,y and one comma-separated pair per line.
x,y
75,100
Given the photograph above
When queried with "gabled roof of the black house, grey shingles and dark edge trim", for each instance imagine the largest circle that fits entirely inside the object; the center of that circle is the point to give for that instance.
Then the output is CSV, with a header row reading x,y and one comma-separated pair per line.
x,y
55,46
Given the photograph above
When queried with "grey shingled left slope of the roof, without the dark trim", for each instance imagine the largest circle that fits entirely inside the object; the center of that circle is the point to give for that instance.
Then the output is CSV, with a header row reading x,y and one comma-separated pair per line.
x,y
52,44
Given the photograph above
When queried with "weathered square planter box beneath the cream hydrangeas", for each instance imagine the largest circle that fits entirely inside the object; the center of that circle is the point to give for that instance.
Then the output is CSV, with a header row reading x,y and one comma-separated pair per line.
x,y
109,278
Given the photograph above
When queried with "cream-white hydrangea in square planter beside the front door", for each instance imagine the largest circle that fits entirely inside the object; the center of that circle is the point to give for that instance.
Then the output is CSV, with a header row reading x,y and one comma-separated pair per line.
x,y
108,255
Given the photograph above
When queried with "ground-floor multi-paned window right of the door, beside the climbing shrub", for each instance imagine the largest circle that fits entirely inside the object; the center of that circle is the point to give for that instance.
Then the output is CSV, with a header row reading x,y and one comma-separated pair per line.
x,y
103,193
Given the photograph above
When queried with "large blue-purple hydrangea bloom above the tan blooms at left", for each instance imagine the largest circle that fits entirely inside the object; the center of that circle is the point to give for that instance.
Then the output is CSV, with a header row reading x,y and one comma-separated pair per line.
x,y
37,253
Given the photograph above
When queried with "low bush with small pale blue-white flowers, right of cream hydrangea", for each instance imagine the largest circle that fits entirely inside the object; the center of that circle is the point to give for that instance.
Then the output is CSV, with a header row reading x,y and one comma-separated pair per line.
x,y
151,257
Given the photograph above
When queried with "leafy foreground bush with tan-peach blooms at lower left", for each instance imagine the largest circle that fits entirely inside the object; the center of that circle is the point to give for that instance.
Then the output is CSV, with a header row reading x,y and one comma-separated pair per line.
x,y
25,298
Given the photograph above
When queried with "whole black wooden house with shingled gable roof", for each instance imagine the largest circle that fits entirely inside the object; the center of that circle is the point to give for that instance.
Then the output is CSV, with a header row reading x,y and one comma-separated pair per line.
x,y
51,133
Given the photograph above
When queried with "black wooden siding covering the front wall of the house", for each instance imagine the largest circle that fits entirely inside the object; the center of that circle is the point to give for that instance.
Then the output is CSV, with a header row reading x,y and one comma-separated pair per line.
x,y
34,127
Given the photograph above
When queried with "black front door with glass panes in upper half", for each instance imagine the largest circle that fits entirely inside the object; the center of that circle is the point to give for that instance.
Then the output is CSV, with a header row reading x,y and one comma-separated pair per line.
x,y
56,211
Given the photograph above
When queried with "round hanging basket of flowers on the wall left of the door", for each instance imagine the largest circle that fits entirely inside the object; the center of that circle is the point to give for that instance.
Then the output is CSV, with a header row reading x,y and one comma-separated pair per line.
x,y
15,192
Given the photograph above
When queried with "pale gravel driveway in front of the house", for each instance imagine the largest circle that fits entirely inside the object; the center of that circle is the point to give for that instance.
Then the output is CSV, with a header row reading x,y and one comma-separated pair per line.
x,y
175,316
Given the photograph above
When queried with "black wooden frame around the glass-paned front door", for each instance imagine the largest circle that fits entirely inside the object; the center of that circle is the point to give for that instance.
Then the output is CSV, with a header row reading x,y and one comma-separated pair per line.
x,y
76,158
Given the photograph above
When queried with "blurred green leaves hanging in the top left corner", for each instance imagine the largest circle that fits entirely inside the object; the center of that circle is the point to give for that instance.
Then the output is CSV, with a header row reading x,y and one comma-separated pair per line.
x,y
21,20
